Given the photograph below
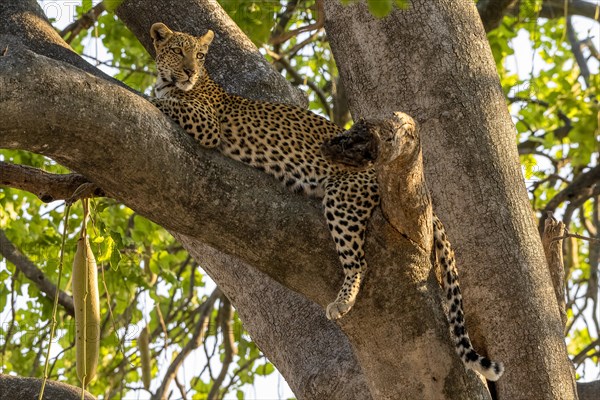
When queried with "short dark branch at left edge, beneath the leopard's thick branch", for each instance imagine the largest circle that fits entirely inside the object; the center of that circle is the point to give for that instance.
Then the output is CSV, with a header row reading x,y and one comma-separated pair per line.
x,y
47,186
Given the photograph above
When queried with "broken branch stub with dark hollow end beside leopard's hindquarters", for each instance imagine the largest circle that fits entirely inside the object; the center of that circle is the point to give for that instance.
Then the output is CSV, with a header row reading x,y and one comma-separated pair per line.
x,y
393,148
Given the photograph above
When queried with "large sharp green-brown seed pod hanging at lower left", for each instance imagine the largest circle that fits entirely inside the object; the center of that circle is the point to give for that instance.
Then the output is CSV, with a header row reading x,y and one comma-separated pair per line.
x,y
87,310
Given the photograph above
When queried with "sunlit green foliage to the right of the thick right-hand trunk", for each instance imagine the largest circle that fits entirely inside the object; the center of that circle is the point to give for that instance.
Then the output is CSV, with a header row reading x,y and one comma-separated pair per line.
x,y
556,116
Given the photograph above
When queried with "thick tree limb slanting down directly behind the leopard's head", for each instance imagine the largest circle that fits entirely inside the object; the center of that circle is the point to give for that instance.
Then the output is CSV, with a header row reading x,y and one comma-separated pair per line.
x,y
233,61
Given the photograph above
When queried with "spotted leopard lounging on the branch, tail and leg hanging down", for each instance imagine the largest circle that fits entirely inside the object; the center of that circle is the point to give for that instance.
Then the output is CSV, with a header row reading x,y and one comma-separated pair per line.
x,y
285,141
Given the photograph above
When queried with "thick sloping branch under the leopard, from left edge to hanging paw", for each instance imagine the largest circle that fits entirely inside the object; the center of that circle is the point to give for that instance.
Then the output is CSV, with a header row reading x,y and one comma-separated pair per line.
x,y
47,105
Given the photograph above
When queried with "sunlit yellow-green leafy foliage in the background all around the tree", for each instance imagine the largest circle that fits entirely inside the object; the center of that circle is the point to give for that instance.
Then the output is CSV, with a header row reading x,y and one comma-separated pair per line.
x,y
148,279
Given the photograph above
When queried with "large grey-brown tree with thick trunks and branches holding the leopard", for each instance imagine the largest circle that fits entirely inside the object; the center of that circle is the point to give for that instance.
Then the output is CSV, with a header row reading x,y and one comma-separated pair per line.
x,y
441,73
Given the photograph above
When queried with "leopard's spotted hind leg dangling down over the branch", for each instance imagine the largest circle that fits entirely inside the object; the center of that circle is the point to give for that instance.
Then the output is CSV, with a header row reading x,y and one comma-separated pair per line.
x,y
349,200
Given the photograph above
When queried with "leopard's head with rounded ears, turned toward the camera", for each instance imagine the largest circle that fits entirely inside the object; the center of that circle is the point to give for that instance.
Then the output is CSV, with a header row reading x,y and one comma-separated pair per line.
x,y
179,56
